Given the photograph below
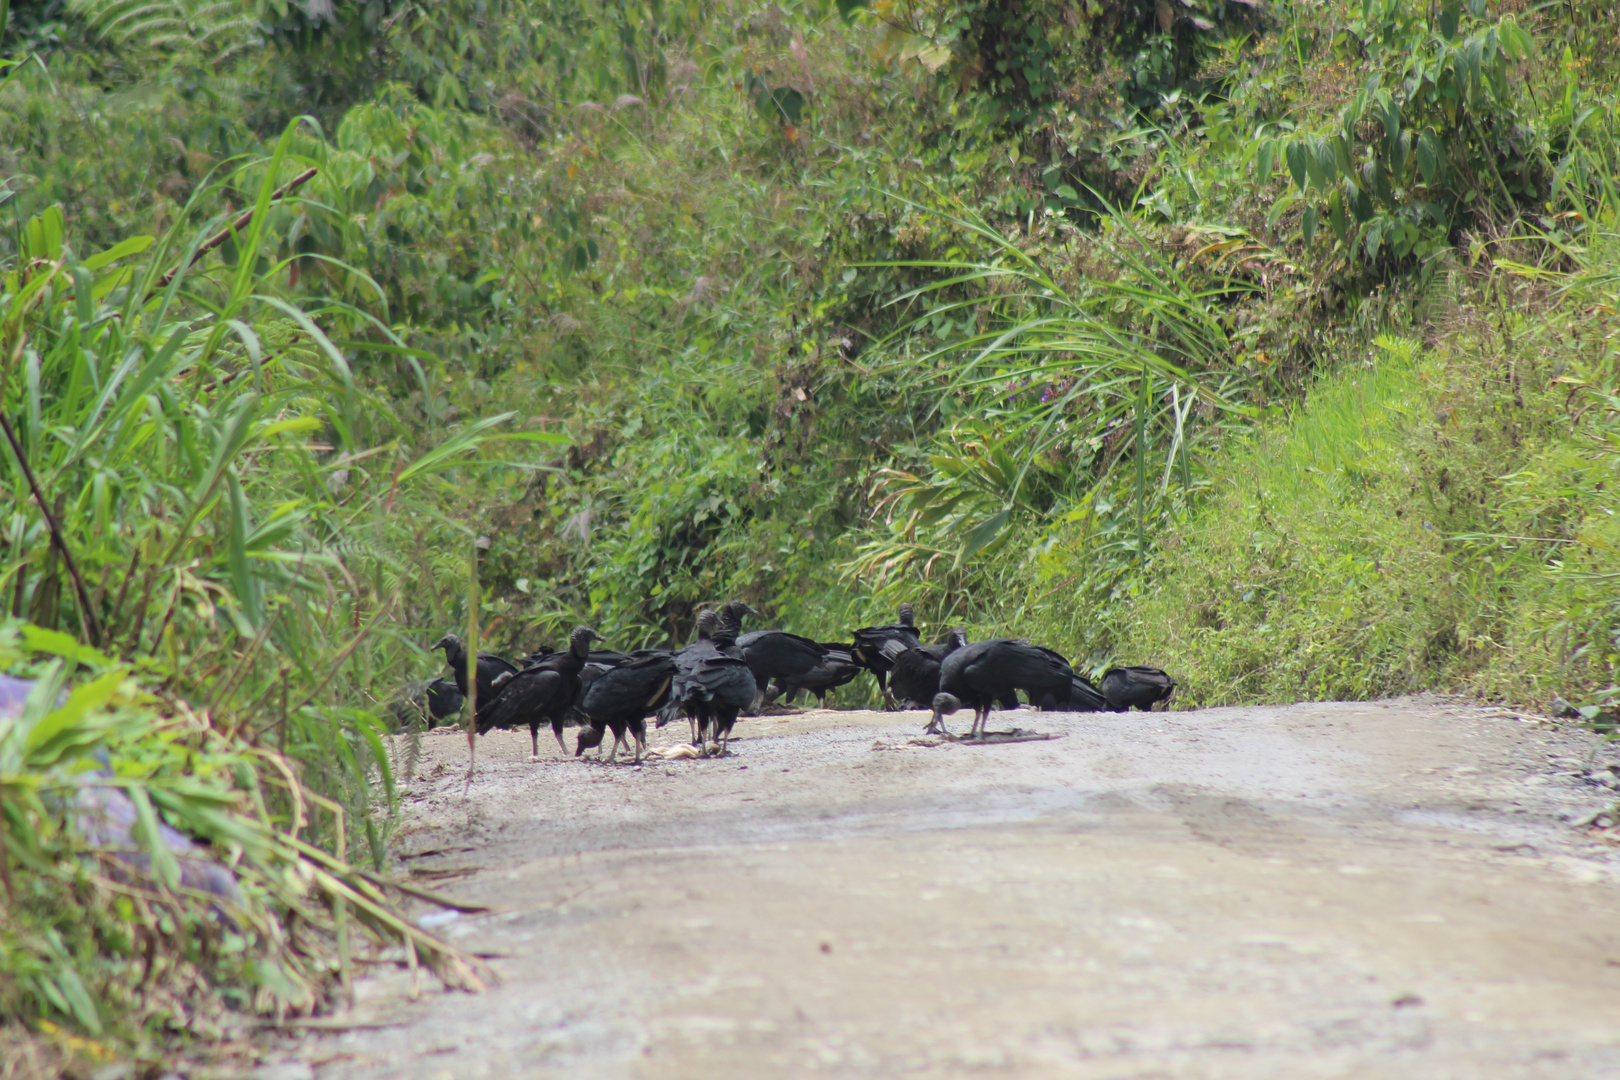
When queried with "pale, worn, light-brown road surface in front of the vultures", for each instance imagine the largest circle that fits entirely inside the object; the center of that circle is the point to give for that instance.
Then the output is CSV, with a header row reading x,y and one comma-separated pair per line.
x,y
1391,890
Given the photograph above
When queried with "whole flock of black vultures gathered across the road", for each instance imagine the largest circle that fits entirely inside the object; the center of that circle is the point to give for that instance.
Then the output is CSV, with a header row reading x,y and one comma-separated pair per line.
x,y
728,673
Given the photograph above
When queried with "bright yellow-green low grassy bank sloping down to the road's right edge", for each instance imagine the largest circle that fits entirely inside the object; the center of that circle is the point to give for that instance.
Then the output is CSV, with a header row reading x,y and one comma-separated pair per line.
x,y
1431,517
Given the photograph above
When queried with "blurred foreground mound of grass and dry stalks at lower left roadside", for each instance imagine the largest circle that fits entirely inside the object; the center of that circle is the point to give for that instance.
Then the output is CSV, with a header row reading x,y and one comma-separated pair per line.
x,y
161,883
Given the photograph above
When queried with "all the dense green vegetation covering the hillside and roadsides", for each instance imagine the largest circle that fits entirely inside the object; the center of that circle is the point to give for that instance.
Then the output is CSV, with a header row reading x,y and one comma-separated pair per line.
x,y
1269,344
